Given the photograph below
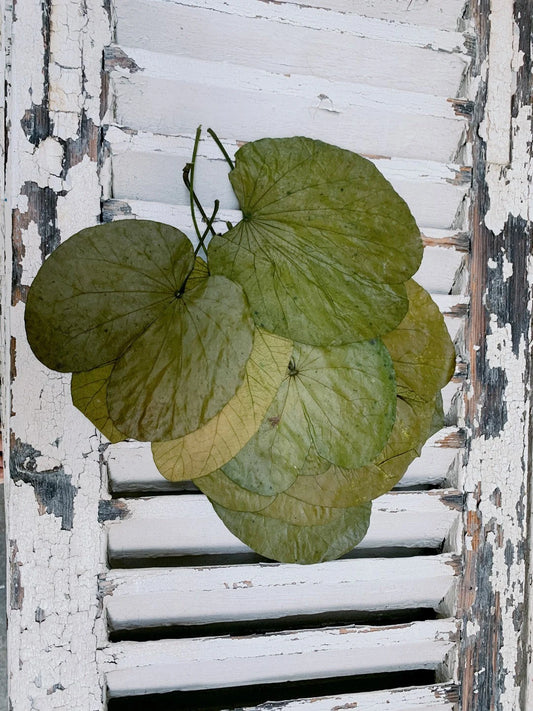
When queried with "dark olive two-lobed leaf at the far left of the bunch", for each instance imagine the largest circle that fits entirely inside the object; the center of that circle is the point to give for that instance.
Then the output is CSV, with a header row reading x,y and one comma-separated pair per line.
x,y
120,292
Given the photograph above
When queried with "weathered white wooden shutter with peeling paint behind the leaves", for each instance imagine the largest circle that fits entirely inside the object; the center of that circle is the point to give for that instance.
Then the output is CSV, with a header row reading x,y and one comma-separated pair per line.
x,y
124,586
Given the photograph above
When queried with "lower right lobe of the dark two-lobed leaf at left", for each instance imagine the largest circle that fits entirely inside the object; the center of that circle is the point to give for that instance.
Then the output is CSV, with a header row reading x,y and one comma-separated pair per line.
x,y
183,369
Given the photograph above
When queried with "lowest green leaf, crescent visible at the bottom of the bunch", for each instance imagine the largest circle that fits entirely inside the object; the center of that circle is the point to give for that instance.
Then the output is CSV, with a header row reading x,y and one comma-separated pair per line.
x,y
287,542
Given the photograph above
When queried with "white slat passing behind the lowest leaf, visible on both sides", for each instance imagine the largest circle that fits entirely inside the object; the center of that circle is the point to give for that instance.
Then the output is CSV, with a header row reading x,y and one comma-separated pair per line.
x,y
187,525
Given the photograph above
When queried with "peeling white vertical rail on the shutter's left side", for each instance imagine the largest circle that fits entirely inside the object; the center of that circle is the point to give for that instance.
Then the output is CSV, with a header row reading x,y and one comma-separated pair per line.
x,y
56,547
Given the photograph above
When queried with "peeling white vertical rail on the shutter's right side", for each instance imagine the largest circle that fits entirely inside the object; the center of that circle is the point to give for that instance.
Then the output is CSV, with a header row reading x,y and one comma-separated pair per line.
x,y
493,598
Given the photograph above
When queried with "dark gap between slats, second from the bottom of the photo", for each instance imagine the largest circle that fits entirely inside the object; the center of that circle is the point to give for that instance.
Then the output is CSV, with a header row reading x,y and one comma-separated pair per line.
x,y
251,628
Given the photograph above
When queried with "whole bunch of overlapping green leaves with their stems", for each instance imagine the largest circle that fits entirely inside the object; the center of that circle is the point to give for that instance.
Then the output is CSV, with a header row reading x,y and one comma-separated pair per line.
x,y
293,375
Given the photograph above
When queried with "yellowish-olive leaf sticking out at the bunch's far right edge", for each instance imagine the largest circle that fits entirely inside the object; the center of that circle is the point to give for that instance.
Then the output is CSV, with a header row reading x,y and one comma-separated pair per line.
x,y
421,348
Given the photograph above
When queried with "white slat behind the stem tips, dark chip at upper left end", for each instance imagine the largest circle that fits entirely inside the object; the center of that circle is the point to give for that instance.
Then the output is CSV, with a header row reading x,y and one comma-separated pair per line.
x,y
172,95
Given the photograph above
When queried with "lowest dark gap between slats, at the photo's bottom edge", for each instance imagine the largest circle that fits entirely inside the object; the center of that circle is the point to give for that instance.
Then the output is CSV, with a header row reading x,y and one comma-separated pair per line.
x,y
234,699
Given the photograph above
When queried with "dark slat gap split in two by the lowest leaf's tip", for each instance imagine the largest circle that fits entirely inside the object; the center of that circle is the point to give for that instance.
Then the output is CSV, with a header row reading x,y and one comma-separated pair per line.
x,y
116,562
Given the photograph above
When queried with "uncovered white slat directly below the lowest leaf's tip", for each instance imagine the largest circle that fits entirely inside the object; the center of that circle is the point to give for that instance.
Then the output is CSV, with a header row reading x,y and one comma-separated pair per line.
x,y
198,596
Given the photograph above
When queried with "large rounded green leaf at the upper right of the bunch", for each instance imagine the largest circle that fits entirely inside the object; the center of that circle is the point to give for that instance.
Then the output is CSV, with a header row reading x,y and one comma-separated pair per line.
x,y
325,244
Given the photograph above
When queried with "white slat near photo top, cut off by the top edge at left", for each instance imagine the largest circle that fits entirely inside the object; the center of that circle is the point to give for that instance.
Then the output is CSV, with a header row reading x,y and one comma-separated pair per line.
x,y
298,40
